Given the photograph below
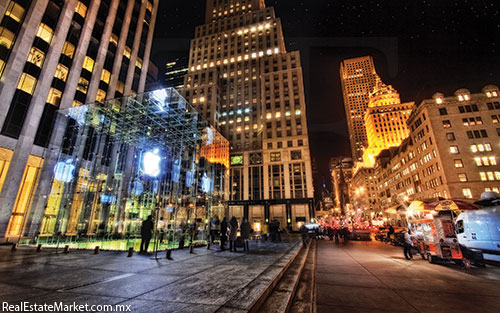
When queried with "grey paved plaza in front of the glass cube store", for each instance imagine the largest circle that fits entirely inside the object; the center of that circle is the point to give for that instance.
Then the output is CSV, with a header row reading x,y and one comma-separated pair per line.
x,y
206,281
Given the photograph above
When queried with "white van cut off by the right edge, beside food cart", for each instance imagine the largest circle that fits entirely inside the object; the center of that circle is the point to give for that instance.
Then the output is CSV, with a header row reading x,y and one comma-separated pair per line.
x,y
481,230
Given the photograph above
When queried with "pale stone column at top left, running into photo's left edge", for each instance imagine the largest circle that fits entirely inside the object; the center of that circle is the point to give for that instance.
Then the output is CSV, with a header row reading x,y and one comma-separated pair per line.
x,y
15,65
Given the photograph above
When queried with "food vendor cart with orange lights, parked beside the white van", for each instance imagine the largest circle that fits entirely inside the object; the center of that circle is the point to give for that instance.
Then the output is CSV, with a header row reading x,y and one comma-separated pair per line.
x,y
435,237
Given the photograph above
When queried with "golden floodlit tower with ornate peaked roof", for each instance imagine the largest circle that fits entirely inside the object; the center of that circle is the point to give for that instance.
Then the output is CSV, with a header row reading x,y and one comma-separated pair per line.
x,y
385,121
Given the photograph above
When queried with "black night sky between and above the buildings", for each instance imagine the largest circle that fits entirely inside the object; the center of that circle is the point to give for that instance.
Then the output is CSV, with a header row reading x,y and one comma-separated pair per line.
x,y
439,45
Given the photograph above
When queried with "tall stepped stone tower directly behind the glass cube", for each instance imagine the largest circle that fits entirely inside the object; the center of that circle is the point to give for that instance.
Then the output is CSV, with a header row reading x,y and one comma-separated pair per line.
x,y
243,80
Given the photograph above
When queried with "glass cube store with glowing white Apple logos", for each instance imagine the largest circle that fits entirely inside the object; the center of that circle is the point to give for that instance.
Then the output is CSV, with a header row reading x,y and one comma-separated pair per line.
x,y
128,158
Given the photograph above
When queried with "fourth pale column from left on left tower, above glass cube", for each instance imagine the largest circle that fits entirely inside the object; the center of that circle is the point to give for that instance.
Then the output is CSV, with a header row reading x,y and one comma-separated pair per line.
x,y
101,54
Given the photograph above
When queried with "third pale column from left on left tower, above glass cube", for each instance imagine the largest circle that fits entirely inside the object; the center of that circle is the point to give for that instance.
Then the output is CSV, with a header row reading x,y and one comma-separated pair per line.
x,y
81,52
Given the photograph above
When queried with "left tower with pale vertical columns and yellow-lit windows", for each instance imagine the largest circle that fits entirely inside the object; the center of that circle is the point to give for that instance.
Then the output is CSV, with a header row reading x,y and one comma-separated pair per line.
x,y
54,55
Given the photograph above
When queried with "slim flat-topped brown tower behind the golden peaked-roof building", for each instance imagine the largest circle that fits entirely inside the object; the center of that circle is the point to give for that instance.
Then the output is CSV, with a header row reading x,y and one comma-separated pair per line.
x,y
358,77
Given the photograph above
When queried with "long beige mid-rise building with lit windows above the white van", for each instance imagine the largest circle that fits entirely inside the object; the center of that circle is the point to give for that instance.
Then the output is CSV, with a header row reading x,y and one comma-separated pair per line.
x,y
452,151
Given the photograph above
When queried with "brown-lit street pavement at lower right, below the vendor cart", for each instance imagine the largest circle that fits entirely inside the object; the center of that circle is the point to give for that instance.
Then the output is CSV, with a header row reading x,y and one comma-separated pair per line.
x,y
375,277
